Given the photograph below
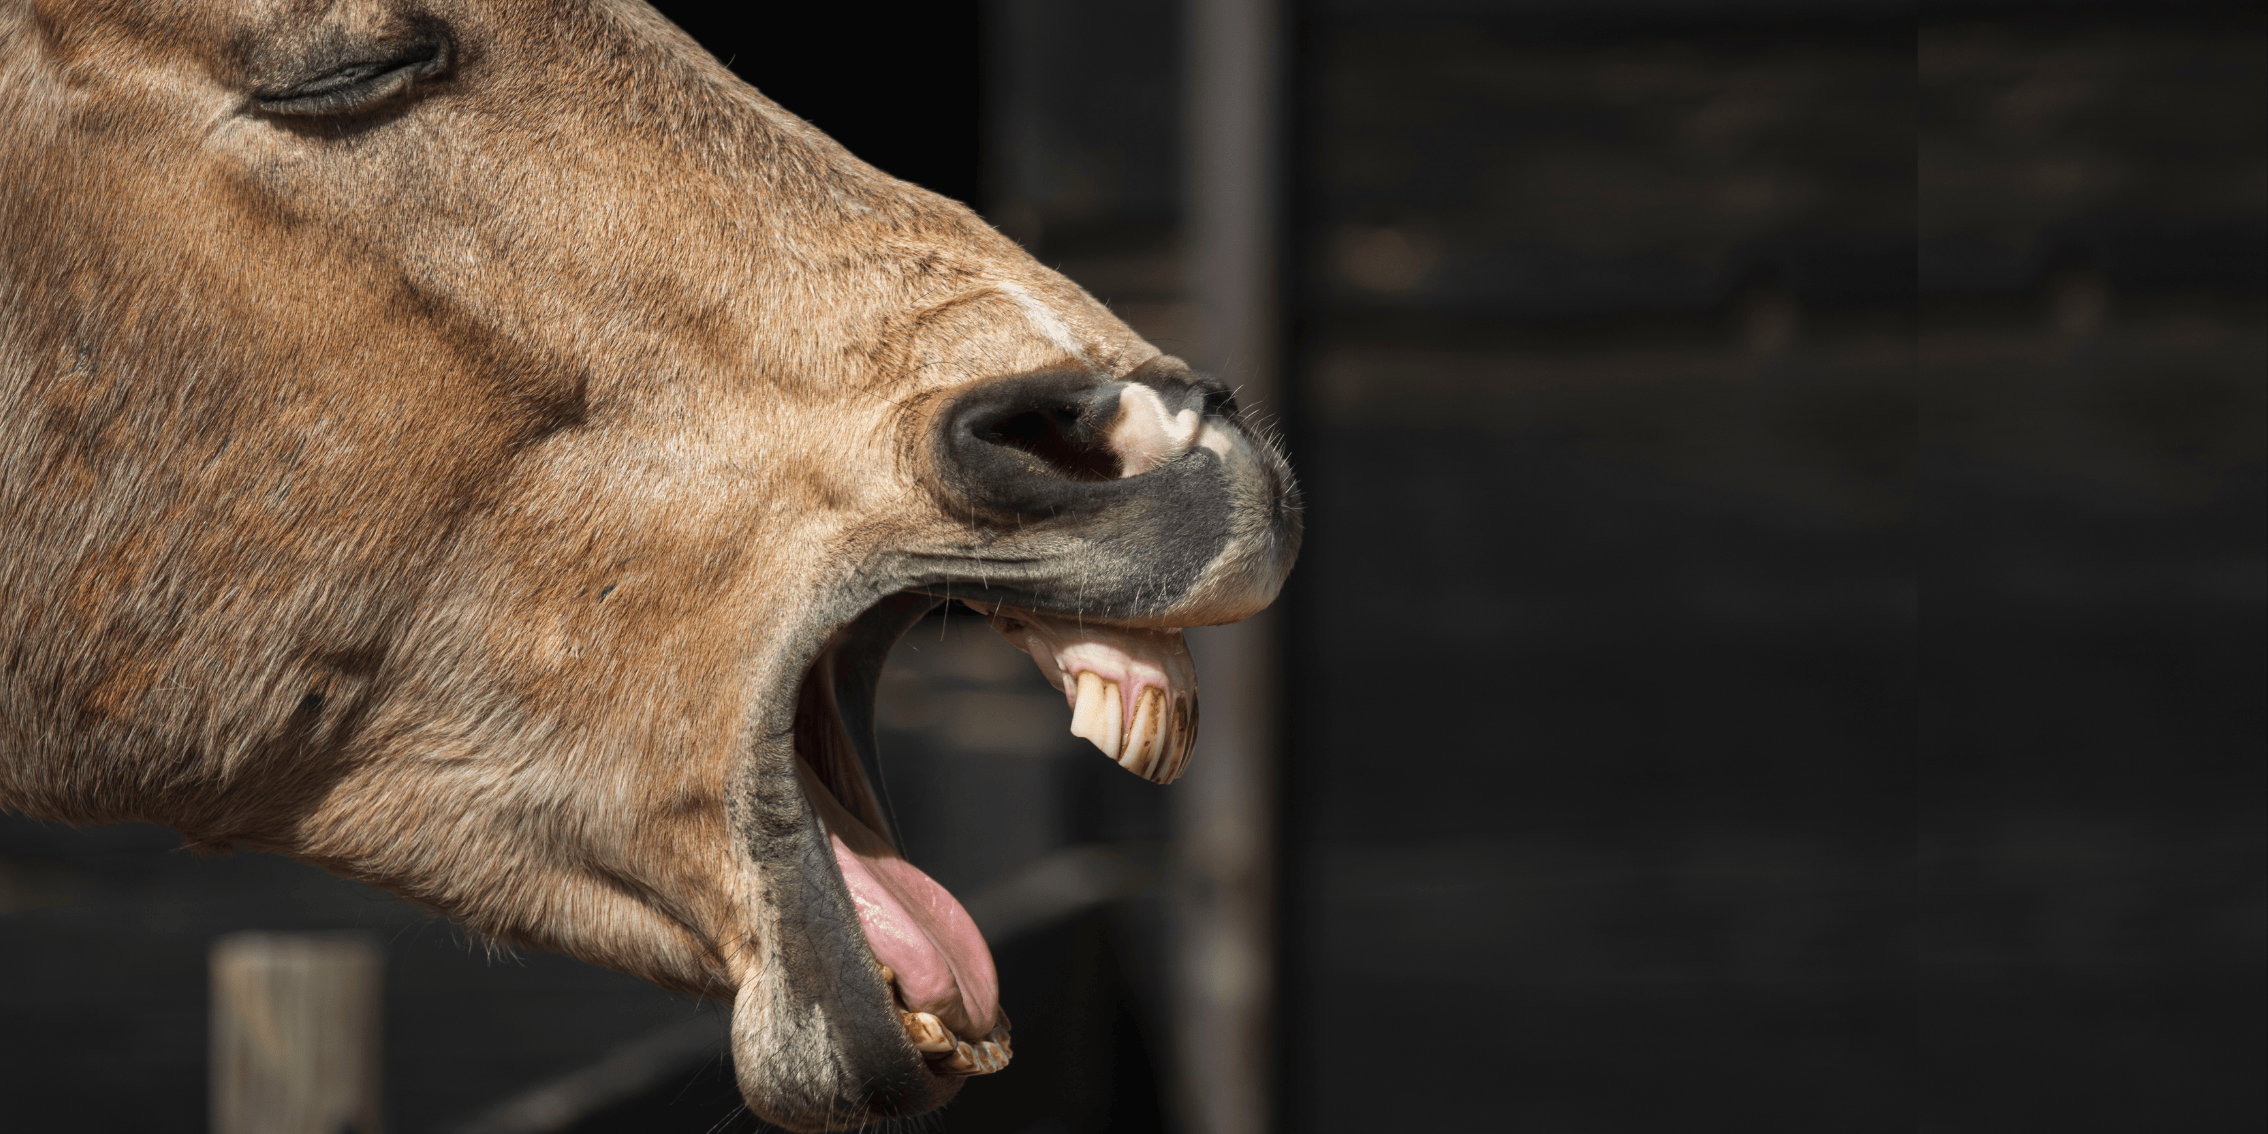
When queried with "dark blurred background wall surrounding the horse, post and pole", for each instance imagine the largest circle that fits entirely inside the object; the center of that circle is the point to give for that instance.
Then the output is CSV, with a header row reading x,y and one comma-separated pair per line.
x,y
1779,643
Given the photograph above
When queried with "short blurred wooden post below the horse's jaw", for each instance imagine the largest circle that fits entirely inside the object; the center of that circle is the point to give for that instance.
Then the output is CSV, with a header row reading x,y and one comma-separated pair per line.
x,y
296,1035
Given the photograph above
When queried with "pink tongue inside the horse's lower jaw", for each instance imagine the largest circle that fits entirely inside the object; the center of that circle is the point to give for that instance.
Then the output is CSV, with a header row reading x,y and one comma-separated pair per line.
x,y
920,931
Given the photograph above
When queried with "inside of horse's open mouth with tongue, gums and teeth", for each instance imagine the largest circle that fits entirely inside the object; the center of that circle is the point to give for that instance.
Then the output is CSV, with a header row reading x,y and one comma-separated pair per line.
x,y
1131,693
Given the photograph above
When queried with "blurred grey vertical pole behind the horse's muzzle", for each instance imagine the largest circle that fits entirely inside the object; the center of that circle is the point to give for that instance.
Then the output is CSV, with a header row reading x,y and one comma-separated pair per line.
x,y
1224,963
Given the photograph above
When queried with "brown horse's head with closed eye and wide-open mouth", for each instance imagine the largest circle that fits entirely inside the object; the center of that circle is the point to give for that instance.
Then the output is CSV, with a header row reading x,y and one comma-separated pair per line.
x,y
486,450
